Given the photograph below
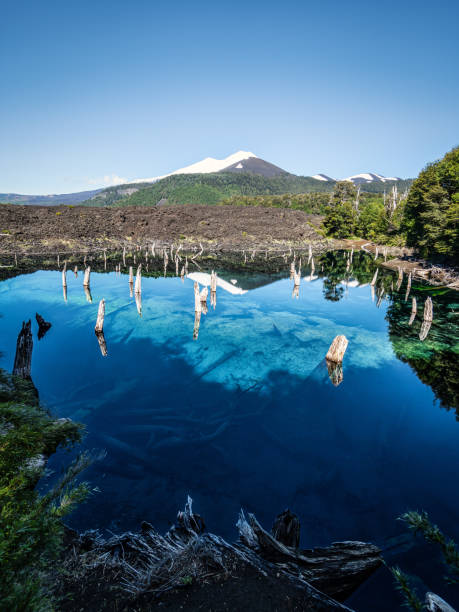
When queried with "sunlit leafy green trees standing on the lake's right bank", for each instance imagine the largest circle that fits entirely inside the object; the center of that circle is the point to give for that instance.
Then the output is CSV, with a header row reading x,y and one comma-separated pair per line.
x,y
425,217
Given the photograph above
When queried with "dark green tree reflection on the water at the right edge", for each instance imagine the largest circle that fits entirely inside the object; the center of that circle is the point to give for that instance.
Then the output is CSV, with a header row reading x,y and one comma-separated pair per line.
x,y
435,359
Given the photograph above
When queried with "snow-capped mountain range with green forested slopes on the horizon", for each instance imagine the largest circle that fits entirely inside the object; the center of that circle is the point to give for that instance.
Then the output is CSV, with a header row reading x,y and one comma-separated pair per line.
x,y
210,181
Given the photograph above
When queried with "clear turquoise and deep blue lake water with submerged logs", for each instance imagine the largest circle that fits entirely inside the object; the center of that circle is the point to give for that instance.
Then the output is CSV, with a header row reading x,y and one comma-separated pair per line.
x,y
246,415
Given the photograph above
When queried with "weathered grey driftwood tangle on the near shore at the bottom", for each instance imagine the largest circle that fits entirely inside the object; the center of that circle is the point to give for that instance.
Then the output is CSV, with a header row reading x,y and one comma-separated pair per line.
x,y
149,562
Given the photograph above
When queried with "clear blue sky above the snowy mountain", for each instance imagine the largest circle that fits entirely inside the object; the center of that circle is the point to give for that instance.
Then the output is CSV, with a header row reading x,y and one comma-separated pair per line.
x,y
136,89
